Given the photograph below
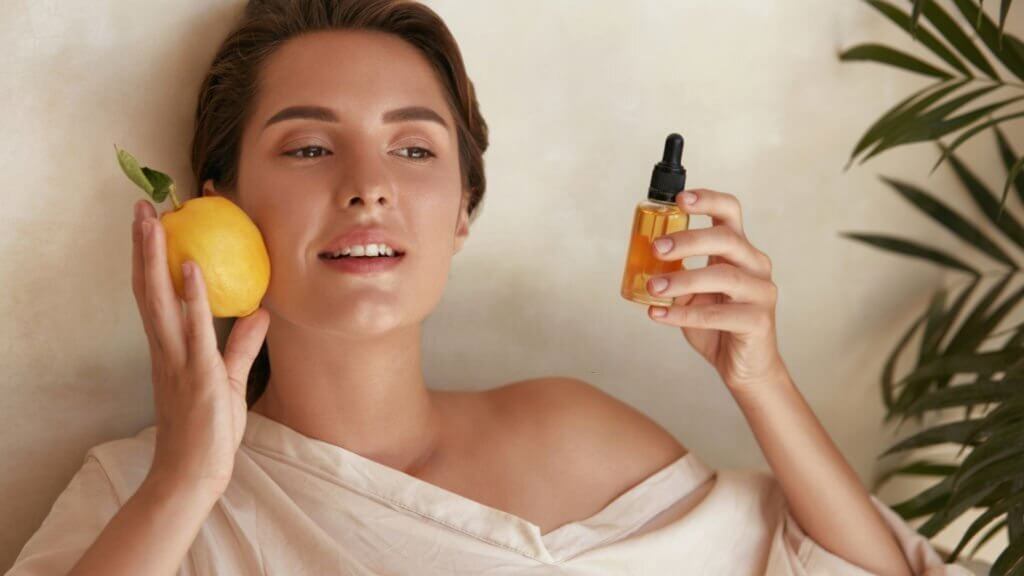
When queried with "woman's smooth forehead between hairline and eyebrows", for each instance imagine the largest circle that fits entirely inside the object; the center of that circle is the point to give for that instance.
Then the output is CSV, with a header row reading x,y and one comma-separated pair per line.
x,y
354,72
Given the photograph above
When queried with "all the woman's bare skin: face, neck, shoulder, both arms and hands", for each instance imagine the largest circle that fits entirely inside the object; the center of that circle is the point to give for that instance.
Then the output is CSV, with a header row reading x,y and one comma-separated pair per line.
x,y
347,354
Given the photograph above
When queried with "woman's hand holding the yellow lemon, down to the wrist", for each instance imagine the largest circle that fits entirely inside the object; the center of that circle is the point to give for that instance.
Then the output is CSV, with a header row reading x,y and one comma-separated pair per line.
x,y
200,396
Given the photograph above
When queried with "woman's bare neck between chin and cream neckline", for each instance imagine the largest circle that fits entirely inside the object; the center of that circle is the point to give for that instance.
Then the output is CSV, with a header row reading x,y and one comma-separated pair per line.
x,y
366,395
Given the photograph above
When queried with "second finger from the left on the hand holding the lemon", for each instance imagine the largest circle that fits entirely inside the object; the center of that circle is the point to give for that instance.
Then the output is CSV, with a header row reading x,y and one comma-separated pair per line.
x,y
163,304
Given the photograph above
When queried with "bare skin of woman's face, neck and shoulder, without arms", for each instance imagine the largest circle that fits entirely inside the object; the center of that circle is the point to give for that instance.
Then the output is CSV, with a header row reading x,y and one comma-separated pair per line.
x,y
347,350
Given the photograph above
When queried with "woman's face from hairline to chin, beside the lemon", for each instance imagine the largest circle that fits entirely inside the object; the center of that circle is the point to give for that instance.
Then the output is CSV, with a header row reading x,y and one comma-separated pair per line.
x,y
307,181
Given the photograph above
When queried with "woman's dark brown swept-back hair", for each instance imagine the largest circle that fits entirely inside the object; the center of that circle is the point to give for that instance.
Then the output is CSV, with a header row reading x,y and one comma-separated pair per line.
x,y
228,94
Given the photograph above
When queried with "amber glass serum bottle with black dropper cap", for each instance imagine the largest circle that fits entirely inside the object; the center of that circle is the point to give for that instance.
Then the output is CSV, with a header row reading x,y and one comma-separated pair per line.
x,y
655,217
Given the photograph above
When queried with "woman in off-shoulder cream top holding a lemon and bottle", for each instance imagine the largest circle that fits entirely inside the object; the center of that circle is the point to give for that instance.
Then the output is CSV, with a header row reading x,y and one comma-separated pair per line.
x,y
336,125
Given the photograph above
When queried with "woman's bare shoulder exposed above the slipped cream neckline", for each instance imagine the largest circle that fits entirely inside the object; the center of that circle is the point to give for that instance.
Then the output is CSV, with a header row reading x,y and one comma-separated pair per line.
x,y
586,435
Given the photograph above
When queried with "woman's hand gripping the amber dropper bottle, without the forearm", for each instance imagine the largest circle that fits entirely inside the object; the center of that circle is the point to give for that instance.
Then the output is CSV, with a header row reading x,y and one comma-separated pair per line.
x,y
728,309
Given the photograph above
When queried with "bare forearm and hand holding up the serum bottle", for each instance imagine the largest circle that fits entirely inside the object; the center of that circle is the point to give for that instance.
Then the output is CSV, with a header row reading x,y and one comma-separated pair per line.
x,y
727,312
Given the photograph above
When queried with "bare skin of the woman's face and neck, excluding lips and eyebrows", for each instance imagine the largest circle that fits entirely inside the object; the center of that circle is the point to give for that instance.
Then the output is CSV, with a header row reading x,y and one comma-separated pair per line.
x,y
346,349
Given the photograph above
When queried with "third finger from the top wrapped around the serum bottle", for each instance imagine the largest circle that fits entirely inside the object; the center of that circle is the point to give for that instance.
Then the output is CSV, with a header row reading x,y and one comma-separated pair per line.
x,y
727,279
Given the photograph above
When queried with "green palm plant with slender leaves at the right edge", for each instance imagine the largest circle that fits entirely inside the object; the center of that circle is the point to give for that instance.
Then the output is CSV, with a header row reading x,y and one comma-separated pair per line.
x,y
960,336
